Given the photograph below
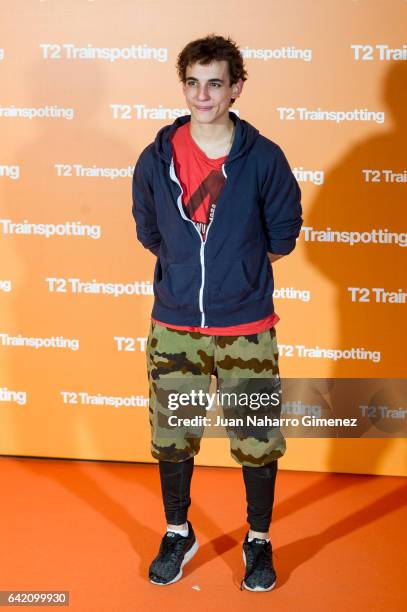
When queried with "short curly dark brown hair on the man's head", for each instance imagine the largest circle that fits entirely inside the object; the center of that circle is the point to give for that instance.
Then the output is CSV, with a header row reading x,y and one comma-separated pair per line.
x,y
206,50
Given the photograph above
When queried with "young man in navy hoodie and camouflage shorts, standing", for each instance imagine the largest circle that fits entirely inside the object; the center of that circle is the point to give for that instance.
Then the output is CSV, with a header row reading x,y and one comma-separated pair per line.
x,y
213,312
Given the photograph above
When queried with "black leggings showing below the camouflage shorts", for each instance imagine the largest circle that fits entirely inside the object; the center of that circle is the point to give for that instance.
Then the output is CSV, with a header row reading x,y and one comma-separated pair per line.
x,y
259,483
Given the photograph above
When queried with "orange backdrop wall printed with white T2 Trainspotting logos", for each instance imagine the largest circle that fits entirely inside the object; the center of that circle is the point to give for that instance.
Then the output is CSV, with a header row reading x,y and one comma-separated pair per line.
x,y
85,87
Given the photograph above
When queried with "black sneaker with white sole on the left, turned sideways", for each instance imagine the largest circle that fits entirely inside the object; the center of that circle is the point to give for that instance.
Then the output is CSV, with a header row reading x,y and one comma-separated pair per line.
x,y
175,551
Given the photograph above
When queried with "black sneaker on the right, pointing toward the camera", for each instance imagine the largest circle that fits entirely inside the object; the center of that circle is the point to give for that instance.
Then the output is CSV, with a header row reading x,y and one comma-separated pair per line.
x,y
257,557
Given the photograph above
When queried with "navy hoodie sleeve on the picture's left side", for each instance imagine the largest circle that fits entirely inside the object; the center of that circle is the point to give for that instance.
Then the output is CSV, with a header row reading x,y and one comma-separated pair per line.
x,y
144,212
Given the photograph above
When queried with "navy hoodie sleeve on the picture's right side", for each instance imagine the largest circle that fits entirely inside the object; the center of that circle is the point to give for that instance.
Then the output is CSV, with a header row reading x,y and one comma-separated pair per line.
x,y
281,198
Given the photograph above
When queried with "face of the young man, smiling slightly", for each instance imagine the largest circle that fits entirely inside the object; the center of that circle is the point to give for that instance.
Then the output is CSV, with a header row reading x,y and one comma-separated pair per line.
x,y
208,91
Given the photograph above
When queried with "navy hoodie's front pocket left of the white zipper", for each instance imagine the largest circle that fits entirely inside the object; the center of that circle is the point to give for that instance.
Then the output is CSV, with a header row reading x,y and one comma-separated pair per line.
x,y
179,286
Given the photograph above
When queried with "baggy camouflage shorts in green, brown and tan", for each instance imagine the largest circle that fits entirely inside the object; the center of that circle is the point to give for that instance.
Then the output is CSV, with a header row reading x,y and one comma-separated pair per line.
x,y
178,361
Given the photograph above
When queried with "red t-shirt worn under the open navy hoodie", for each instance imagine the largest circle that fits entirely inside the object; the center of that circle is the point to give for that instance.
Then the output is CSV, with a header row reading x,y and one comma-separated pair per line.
x,y
202,180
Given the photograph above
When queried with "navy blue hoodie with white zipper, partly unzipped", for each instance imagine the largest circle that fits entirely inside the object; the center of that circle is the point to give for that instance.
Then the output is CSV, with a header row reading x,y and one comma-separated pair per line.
x,y
227,279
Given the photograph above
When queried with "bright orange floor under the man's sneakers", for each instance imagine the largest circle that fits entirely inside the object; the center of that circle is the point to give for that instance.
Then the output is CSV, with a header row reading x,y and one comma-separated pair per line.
x,y
92,528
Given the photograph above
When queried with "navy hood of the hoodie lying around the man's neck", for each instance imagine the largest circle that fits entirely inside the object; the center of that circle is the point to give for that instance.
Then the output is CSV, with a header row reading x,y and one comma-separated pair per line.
x,y
245,137
